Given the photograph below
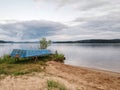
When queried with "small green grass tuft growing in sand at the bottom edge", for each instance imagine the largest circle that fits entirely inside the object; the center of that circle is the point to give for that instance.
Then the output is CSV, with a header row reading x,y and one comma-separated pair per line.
x,y
54,85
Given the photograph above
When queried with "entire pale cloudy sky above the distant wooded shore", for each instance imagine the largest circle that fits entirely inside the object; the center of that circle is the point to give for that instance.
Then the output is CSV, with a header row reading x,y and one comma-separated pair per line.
x,y
59,20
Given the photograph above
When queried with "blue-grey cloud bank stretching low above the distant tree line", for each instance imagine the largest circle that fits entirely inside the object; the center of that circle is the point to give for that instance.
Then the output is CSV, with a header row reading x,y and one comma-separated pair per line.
x,y
34,30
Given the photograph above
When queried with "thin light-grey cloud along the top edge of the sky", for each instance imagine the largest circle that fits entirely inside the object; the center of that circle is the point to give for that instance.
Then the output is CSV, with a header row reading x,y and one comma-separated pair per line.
x,y
81,4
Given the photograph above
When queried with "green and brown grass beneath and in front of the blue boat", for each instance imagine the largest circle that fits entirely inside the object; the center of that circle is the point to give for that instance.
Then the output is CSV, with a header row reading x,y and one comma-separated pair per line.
x,y
9,66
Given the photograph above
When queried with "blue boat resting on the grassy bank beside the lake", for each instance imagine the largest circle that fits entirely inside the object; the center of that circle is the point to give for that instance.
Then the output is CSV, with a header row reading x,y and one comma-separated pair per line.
x,y
24,53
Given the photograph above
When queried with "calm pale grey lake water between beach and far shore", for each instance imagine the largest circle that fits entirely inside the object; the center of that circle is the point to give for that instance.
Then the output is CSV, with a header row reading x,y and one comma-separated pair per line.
x,y
100,56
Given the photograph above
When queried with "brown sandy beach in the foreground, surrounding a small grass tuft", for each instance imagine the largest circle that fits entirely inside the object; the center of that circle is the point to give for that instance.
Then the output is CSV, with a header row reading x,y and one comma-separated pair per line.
x,y
73,77
